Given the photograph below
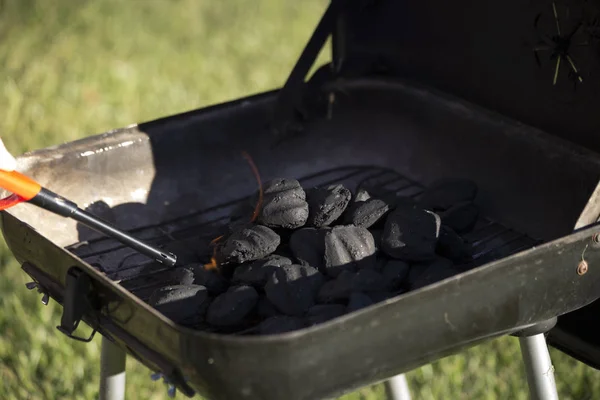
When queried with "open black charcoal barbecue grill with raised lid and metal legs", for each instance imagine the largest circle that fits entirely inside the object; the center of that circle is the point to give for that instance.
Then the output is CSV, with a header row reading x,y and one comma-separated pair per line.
x,y
415,91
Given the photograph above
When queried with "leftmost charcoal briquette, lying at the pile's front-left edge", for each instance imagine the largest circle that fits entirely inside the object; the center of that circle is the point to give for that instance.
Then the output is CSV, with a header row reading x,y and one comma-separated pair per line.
x,y
183,304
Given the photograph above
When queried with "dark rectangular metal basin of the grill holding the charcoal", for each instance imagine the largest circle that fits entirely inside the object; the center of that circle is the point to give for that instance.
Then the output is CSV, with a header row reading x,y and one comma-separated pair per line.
x,y
179,177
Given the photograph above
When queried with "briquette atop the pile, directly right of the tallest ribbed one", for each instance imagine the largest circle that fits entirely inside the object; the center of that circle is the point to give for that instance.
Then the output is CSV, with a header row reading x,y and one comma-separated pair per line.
x,y
326,204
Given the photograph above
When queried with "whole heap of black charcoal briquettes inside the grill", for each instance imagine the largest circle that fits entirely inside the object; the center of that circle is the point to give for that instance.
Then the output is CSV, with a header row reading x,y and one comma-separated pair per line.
x,y
314,254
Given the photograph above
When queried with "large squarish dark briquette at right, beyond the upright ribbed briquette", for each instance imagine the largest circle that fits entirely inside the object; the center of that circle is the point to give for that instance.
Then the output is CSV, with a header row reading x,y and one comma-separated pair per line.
x,y
410,234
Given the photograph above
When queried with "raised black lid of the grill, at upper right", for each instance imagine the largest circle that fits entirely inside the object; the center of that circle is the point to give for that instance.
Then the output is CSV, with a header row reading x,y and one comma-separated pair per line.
x,y
535,61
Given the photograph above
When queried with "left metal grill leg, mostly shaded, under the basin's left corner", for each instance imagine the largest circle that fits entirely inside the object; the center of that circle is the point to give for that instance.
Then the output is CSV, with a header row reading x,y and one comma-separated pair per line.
x,y
112,371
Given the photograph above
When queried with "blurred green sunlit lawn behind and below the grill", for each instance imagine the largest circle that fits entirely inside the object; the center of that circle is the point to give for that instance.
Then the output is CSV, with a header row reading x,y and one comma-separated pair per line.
x,y
72,69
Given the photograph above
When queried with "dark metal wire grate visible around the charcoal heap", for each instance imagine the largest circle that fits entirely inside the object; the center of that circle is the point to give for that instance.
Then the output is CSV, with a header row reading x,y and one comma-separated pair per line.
x,y
189,236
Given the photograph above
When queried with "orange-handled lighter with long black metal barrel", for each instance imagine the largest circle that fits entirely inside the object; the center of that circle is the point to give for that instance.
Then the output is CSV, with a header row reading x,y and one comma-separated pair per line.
x,y
25,189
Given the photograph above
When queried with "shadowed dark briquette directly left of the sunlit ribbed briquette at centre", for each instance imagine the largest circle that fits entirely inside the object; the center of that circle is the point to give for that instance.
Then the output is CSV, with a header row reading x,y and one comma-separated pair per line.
x,y
308,246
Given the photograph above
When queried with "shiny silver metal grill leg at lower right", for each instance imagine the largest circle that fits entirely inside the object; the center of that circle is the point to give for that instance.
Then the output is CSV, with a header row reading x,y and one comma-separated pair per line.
x,y
538,366
